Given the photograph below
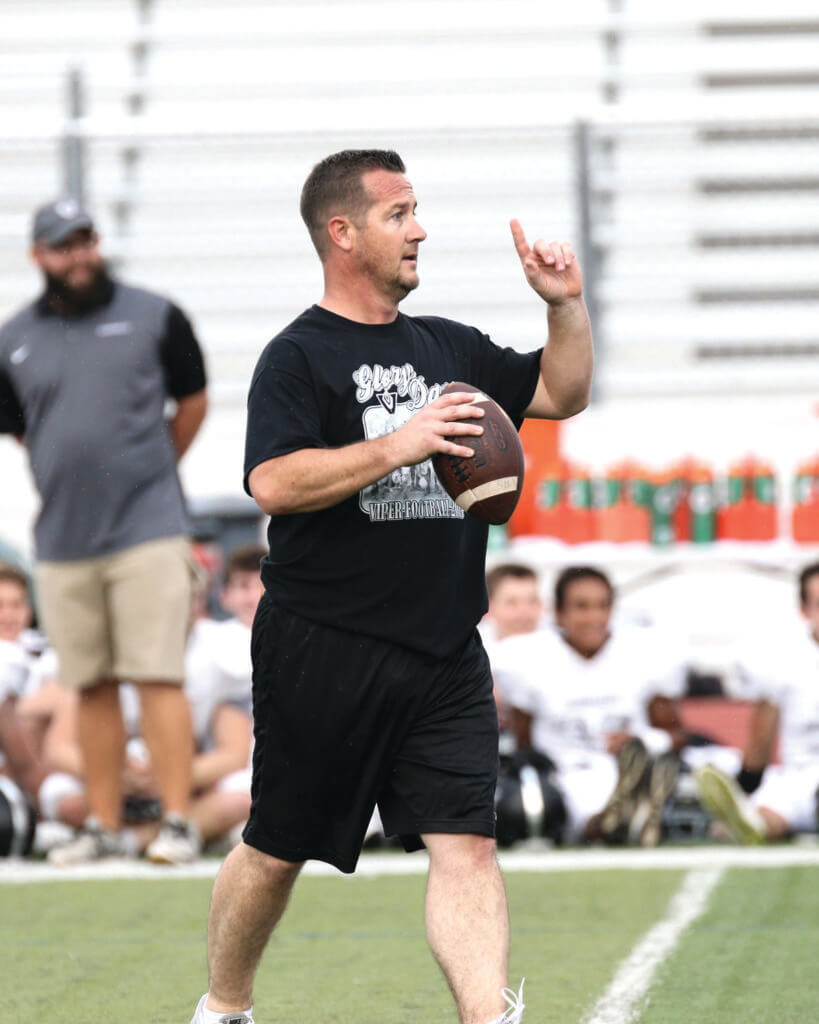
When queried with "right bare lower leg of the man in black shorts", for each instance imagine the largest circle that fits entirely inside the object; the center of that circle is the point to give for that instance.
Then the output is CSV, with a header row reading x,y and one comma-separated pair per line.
x,y
468,923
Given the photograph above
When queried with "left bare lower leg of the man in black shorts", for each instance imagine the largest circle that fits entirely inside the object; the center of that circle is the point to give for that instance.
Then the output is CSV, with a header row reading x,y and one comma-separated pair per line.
x,y
249,898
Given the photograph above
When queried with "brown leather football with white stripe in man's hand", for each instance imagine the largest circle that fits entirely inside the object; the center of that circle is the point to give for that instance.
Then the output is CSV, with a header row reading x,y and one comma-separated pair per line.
x,y
488,485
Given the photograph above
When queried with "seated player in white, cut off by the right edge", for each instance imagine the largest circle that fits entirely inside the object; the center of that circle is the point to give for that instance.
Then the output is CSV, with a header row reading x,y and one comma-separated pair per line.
x,y
765,801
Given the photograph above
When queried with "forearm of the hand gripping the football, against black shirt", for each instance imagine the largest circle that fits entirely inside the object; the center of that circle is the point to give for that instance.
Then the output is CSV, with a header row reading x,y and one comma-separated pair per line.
x,y
317,479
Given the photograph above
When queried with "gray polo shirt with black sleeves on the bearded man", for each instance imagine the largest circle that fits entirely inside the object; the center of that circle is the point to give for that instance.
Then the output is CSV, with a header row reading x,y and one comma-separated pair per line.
x,y
89,395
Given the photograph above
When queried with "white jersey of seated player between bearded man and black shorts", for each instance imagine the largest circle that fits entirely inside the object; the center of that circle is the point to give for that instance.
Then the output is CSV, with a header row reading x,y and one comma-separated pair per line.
x,y
219,670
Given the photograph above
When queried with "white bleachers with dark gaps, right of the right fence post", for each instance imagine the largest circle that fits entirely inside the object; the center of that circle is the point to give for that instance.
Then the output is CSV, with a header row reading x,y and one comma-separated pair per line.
x,y
712,232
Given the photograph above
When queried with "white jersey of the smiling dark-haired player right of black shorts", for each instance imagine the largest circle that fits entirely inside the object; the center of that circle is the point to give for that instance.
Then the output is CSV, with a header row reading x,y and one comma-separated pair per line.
x,y
576,702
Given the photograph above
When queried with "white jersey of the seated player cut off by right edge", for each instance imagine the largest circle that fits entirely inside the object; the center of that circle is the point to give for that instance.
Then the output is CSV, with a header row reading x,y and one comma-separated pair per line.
x,y
788,675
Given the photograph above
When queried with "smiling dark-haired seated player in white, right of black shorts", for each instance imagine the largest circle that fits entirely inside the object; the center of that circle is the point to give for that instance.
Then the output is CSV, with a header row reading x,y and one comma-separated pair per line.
x,y
601,705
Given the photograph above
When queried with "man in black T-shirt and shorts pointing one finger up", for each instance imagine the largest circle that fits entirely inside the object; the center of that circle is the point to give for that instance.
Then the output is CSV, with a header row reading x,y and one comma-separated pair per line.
x,y
371,686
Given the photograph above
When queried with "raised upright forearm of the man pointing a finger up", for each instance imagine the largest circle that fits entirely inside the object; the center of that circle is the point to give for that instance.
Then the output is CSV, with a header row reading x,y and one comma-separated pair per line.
x,y
568,360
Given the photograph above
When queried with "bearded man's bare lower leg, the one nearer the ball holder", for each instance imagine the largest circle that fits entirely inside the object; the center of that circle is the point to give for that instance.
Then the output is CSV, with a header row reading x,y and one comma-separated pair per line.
x,y
168,734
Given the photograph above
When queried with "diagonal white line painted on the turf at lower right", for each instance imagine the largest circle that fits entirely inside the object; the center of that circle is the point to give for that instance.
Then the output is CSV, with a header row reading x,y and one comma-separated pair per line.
x,y
622,1002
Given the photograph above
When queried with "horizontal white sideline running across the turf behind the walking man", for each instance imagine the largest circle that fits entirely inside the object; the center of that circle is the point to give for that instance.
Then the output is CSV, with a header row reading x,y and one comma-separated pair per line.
x,y
379,865
